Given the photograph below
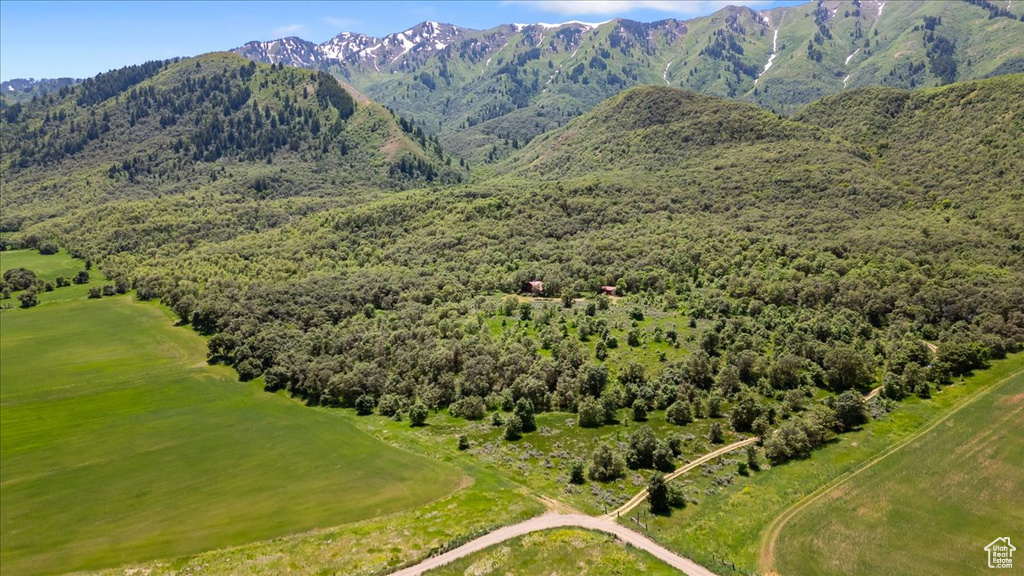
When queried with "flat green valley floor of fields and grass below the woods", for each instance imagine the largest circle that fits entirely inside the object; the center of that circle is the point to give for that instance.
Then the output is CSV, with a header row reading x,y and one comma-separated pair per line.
x,y
122,445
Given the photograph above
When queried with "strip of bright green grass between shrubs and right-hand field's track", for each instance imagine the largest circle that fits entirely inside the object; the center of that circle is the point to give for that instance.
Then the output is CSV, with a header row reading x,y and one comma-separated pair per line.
x,y
734,512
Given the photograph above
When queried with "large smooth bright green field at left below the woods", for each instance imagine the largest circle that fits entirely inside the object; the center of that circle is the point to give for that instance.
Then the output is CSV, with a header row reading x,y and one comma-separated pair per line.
x,y
121,444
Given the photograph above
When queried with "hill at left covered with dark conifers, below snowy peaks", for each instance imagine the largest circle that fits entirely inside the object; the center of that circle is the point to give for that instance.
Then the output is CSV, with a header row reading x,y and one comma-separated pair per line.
x,y
167,145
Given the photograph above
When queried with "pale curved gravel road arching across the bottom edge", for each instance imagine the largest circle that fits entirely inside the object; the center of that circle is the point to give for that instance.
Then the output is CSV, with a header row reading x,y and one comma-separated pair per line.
x,y
550,521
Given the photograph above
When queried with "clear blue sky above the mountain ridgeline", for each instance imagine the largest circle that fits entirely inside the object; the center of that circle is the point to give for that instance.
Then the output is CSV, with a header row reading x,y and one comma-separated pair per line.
x,y
82,39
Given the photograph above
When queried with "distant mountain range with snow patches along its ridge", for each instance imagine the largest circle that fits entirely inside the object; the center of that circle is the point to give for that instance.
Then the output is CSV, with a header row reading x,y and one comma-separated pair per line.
x,y
488,93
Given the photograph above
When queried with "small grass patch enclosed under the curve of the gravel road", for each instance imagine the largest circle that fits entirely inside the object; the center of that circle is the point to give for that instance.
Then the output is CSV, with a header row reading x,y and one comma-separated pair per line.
x,y
575,552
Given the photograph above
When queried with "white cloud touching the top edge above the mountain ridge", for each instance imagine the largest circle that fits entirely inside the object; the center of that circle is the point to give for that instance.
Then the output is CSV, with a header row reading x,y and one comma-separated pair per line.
x,y
619,8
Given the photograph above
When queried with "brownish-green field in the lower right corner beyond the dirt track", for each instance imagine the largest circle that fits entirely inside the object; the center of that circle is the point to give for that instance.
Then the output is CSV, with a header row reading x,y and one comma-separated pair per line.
x,y
929,508
